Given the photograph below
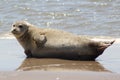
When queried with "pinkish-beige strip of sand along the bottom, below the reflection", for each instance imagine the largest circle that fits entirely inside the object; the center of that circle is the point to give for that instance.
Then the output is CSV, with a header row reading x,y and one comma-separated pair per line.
x,y
50,75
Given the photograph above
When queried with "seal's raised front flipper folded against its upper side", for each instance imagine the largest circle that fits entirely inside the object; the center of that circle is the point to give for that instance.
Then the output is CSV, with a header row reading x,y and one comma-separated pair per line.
x,y
40,40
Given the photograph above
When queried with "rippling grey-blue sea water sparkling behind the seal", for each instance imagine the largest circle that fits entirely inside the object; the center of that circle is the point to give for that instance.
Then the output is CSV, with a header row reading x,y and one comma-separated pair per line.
x,y
88,17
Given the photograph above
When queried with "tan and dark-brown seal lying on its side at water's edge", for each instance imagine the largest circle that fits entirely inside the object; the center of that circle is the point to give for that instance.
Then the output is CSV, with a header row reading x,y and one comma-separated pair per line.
x,y
52,43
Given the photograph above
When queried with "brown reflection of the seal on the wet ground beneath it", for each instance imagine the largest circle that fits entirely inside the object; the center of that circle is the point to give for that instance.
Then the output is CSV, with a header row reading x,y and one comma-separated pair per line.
x,y
59,65
